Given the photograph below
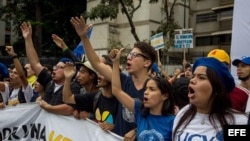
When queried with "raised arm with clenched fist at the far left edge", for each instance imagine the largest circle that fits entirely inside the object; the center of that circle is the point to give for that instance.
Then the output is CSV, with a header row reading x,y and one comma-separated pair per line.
x,y
18,65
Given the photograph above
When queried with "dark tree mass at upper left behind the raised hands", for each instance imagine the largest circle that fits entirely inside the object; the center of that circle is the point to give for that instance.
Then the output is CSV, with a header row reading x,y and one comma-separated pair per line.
x,y
47,17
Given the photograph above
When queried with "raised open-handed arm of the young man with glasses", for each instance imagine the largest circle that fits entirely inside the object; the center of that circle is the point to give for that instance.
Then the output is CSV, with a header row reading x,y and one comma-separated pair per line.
x,y
82,29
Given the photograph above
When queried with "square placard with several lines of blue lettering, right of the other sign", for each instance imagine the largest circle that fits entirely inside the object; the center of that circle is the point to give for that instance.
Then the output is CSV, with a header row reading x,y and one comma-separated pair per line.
x,y
184,38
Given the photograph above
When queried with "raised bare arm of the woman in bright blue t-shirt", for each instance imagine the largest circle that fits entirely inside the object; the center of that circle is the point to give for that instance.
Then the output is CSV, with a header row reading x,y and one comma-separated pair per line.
x,y
117,91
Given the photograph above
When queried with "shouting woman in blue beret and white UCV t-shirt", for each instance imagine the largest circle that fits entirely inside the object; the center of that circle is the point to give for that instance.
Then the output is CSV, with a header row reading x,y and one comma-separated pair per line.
x,y
210,106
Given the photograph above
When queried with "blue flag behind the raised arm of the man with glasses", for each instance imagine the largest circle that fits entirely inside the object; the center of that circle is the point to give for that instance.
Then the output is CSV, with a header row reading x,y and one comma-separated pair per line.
x,y
79,50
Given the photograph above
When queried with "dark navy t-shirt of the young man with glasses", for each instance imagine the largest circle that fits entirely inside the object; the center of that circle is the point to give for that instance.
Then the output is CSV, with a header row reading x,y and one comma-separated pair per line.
x,y
125,119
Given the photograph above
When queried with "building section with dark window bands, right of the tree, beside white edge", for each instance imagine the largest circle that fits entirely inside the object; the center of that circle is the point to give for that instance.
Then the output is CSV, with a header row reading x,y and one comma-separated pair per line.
x,y
211,21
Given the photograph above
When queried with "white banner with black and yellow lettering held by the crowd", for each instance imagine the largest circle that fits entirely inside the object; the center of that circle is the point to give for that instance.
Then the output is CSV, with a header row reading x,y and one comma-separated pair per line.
x,y
28,122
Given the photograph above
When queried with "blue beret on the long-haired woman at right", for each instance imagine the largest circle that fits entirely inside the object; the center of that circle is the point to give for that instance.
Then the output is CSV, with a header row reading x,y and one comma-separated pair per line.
x,y
220,69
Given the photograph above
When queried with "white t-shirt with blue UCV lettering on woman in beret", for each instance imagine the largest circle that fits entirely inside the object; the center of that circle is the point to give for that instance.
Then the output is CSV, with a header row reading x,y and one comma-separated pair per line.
x,y
200,129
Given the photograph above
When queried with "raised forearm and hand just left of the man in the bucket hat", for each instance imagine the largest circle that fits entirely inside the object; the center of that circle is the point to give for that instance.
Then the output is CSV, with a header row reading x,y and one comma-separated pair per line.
x,y
69,72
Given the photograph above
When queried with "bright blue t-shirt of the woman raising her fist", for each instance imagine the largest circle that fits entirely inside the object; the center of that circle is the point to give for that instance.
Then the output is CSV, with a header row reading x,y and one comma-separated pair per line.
x,y
153,127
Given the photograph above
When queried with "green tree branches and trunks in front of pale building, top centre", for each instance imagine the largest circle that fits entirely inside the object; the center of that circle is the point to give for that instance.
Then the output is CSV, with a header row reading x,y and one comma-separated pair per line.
x,y
109,9
